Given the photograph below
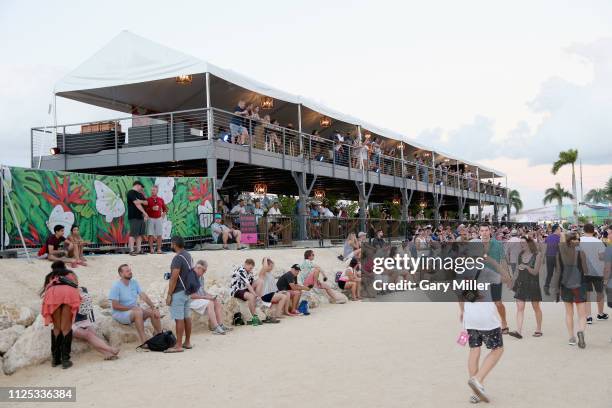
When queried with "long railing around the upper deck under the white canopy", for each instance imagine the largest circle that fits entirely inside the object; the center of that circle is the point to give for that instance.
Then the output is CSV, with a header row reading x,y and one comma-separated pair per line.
x,y
110,136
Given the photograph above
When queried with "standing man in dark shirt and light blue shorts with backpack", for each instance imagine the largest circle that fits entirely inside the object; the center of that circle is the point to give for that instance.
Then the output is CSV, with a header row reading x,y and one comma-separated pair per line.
x,y
179,294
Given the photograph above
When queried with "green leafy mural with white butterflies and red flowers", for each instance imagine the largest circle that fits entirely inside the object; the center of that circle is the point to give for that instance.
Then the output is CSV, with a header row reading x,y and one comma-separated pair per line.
x,y
97,204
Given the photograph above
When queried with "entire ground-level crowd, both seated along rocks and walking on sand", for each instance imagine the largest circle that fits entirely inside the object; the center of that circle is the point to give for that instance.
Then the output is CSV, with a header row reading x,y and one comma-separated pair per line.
x,y
534,263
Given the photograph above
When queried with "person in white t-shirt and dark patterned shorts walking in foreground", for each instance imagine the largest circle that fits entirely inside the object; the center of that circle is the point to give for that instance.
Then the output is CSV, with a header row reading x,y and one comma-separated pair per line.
x,y
482,322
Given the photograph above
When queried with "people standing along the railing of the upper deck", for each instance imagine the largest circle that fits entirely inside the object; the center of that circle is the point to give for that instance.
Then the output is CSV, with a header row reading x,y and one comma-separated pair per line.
x,y
367,152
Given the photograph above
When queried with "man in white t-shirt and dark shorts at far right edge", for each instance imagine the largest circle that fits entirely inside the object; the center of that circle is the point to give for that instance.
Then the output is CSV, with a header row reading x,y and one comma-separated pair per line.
x,y
594,250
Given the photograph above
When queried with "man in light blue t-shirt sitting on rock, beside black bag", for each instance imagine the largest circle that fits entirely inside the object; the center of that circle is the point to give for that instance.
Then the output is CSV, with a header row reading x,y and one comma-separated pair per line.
x,y
124,295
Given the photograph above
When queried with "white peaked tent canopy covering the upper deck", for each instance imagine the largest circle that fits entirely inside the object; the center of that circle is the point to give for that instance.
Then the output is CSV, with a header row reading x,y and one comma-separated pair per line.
x,y
132,72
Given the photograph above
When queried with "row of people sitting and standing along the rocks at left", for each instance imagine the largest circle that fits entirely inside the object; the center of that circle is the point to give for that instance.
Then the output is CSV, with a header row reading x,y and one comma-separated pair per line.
x,y
67,306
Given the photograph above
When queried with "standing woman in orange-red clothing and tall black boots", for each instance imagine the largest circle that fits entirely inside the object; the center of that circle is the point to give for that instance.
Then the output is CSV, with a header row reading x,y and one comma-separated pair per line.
x,y
60,305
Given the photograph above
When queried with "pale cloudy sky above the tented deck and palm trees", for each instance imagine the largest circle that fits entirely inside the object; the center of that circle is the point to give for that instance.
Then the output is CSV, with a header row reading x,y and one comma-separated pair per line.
x,y
508,85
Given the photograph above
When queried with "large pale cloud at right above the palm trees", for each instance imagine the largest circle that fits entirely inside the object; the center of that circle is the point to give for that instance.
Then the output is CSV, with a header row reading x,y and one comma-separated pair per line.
x,y
573,116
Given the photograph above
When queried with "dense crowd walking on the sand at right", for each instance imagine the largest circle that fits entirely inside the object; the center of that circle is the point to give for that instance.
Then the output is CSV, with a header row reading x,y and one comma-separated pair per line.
x,y
531,263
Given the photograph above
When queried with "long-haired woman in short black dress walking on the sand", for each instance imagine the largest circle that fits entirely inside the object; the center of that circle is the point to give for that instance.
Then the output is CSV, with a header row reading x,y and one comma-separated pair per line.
x,y
527,286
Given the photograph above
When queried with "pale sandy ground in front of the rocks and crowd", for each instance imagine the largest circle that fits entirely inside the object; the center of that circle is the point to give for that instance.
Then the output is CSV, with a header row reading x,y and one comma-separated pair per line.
x,y
361,354
